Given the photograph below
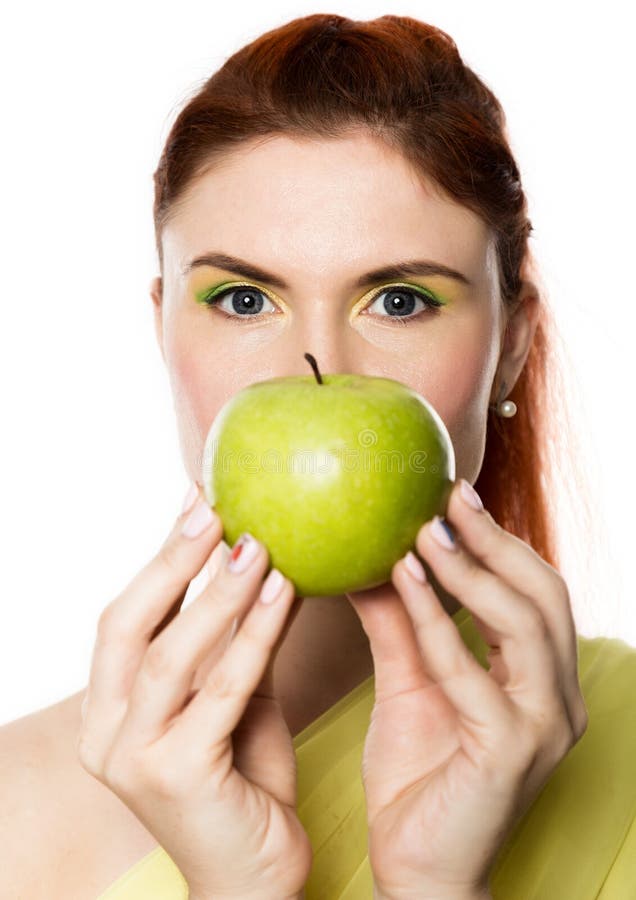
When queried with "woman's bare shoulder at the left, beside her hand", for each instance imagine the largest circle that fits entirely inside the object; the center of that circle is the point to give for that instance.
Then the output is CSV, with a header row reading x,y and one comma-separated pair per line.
x,y
54,813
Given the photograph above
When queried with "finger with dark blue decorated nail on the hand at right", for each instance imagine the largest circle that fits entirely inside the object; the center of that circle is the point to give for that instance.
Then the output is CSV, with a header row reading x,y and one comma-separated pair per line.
x,y
518,625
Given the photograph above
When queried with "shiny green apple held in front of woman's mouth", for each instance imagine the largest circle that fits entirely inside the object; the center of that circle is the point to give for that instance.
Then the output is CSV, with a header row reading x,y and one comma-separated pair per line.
x,y
334,478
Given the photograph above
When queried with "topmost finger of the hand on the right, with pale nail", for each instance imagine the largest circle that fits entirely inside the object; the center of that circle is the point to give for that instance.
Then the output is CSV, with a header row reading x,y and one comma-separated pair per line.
x,y
523,569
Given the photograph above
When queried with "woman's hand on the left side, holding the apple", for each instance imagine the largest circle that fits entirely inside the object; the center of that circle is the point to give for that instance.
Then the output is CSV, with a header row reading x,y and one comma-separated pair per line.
x,y
210,773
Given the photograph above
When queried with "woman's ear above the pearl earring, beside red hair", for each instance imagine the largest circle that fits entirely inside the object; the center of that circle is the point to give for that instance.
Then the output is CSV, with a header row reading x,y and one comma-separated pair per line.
x,y
517,339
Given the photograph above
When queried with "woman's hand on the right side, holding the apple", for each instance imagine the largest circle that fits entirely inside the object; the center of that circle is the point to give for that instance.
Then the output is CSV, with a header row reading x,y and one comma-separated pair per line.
x,y
455,754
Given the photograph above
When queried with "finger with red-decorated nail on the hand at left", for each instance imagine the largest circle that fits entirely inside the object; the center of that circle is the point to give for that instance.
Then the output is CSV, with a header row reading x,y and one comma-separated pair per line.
x,y
167,671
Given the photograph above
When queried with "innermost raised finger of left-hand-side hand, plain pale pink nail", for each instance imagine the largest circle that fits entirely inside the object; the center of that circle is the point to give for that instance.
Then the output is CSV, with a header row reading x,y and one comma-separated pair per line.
x,y
218,707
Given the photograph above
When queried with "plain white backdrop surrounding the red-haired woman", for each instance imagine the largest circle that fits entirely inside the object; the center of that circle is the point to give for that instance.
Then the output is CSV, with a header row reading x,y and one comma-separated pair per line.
x,y
91,475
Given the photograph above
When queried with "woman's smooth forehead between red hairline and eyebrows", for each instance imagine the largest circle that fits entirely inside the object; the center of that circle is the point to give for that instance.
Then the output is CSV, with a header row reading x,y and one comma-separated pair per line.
x,y
322,203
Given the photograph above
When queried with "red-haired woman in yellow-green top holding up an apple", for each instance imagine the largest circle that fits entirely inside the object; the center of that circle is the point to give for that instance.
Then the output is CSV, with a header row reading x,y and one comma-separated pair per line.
x,y
258,745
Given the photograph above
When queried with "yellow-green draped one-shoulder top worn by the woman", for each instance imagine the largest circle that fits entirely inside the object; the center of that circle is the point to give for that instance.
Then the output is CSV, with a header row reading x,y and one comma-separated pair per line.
x,y
576,842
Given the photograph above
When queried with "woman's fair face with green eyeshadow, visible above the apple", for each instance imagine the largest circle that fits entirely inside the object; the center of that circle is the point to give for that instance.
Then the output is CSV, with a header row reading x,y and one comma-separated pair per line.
x,y
317,216
